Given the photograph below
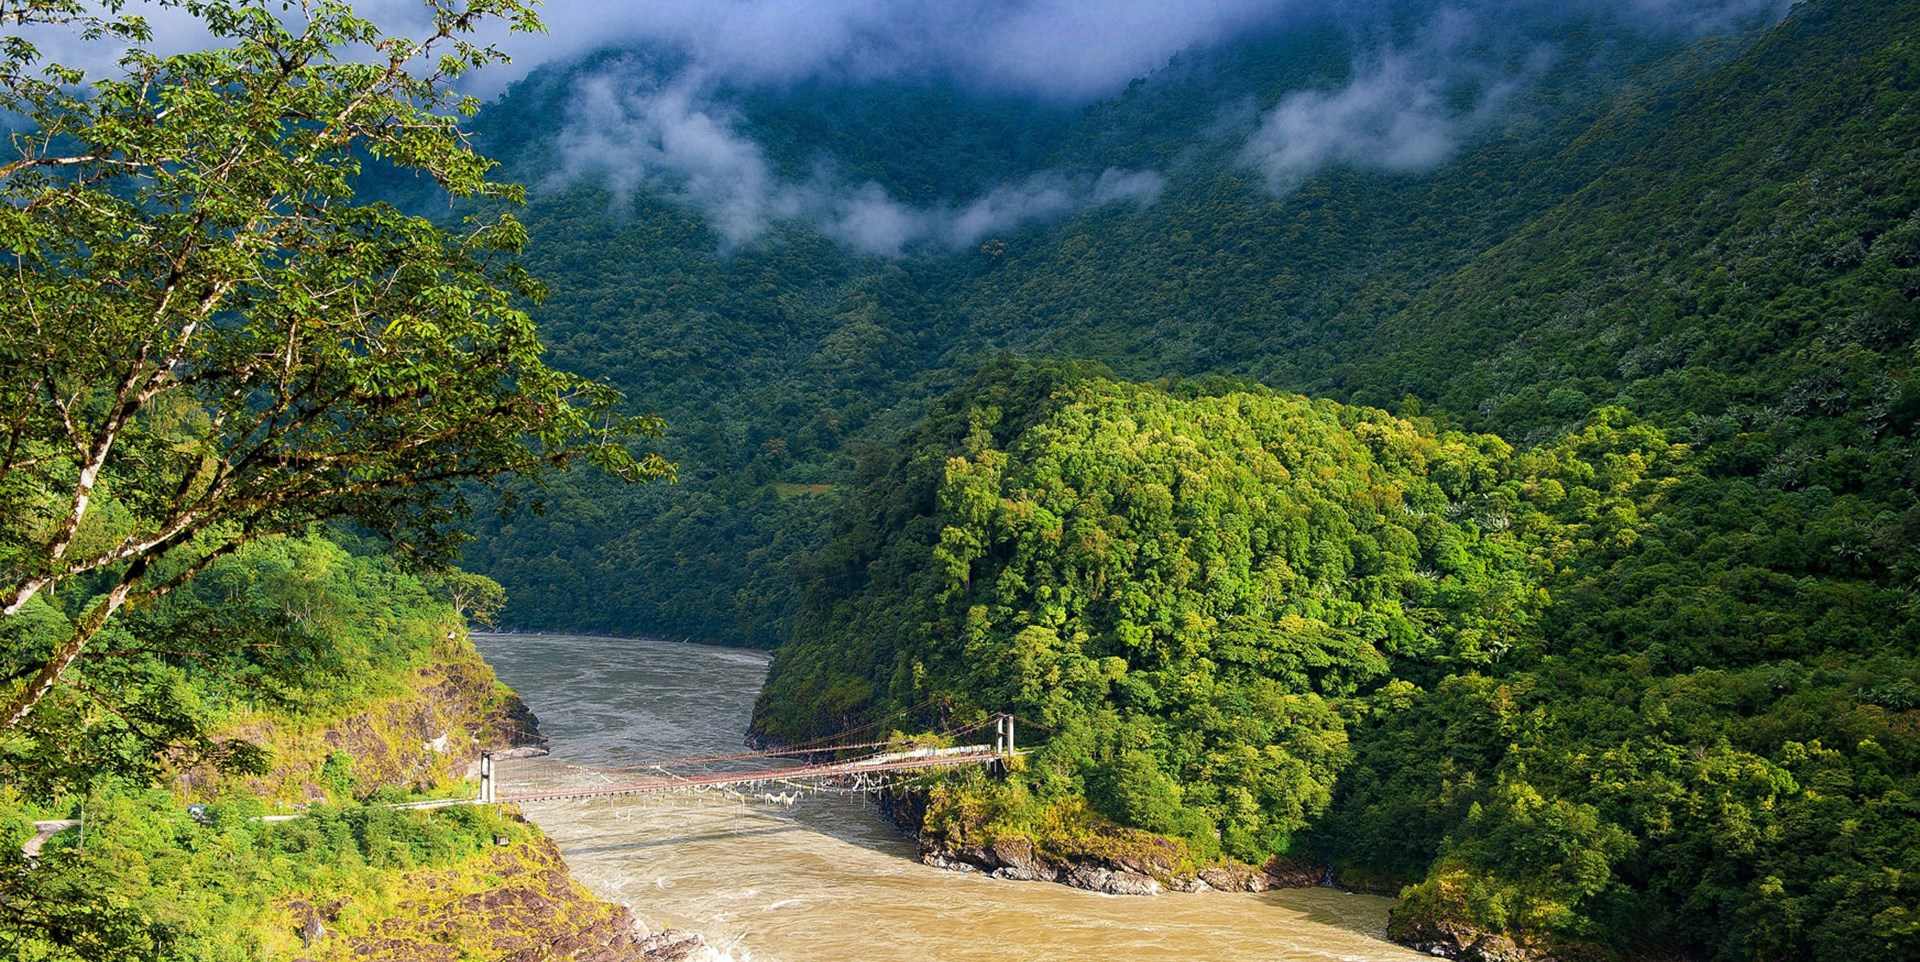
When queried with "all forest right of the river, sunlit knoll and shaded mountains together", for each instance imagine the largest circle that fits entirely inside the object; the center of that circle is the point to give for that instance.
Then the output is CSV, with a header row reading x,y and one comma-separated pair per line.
x,y
1637,656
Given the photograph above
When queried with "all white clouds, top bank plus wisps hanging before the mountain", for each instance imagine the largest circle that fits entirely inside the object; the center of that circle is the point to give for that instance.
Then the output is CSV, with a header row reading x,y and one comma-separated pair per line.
x,y
1403,108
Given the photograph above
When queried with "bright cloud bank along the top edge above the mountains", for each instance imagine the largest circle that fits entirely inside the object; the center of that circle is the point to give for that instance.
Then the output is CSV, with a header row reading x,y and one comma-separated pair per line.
x,y
1059,49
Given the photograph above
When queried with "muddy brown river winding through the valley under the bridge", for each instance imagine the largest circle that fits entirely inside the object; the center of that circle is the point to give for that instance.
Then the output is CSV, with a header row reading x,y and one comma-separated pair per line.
x,y
825,878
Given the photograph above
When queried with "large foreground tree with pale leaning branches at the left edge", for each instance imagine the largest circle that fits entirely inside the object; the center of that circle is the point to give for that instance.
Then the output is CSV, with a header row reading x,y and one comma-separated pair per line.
x,y
210,339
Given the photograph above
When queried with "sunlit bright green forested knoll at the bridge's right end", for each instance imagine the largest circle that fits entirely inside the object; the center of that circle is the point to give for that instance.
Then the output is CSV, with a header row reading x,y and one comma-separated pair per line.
x,y
1178,583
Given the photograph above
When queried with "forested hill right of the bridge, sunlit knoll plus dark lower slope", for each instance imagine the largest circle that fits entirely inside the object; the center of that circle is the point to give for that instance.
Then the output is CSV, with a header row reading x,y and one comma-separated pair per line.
x,y
1572,694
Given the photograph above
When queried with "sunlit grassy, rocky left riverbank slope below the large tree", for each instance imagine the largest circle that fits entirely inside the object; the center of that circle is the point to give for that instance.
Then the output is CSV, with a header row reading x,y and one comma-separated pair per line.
x,y
291,675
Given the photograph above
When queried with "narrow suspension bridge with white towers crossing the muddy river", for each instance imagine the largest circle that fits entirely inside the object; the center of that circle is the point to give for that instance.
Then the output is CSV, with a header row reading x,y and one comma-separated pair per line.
x,y
876,769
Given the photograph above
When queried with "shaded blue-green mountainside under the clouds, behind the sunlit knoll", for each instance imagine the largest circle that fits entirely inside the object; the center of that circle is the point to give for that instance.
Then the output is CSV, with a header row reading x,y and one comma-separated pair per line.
x,y
784,358
